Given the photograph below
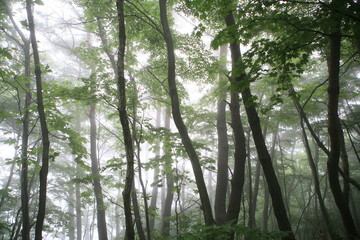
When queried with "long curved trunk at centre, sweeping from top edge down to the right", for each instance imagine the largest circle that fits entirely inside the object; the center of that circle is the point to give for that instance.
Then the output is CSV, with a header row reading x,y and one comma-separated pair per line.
x,y
175,105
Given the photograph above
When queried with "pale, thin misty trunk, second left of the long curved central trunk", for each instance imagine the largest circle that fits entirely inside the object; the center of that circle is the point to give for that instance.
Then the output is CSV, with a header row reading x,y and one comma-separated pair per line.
x,y
155,190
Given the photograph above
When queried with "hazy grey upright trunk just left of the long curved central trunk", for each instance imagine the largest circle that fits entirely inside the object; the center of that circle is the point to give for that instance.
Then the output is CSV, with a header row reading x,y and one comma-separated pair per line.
x,y
165,229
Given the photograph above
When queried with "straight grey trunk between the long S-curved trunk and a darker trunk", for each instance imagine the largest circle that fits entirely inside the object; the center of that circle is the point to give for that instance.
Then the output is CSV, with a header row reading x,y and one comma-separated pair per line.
x,y
223,145
